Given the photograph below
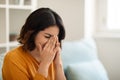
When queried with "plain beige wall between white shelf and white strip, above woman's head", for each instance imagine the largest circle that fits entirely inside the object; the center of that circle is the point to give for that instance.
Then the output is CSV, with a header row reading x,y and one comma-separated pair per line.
x,y
72,14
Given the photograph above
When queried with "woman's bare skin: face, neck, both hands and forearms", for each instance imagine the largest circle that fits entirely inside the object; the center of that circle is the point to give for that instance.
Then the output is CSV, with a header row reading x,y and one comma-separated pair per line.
x,y
47,51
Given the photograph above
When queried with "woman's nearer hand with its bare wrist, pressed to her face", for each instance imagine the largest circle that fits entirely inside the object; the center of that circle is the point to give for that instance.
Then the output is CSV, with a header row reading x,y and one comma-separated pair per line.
x,y
47,55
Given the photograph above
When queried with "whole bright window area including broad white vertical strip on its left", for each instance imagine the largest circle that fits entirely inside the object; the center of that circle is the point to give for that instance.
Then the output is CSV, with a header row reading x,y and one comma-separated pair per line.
x,y
102,18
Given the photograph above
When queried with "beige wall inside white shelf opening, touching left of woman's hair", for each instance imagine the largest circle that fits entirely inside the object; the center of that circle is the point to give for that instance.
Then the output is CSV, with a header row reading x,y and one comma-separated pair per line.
x,y
18,20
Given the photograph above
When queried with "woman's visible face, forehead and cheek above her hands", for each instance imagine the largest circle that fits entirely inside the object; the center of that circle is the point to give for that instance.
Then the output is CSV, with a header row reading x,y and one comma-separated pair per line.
x,y
43,36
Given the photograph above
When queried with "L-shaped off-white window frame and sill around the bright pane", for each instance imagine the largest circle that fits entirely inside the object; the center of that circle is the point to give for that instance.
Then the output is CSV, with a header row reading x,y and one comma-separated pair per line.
x,y
100,28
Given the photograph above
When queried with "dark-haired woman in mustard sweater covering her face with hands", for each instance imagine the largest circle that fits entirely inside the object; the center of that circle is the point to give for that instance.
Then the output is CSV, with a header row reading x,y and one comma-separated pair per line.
x,y
38,57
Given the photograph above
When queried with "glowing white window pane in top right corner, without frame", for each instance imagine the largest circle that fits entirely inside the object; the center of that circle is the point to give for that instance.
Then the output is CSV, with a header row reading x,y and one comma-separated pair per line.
x,y
113,14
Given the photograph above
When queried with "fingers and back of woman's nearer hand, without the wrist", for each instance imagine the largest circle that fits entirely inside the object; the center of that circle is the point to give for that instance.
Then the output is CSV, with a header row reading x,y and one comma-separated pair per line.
x,y
50,49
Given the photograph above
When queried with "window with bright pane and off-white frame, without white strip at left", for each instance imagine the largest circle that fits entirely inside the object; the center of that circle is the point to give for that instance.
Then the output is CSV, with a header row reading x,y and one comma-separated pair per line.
x,y
107,18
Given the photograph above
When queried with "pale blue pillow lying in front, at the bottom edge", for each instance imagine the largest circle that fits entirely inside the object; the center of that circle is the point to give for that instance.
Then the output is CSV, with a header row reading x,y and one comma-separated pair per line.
x,y
92,70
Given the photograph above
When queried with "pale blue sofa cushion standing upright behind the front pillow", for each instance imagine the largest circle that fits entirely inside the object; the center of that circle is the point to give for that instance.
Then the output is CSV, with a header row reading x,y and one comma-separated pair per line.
x,y
78,51
